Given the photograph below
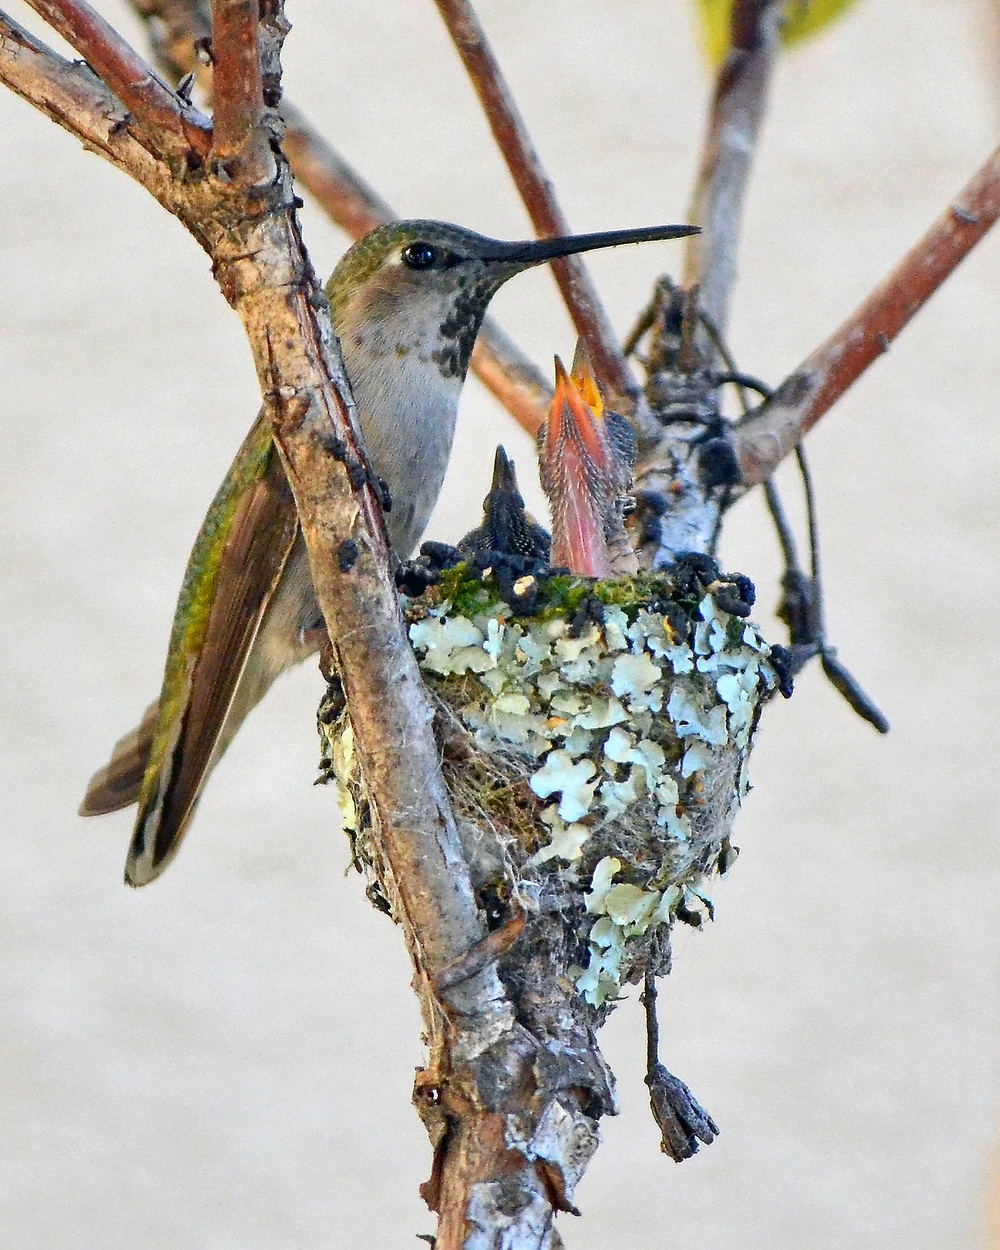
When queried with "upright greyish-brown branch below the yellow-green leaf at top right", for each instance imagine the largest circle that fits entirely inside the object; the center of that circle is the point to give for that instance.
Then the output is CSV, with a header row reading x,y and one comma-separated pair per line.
x,y
734,124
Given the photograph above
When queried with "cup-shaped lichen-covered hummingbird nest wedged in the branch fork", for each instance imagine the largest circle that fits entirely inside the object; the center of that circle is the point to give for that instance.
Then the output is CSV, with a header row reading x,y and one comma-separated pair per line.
x,y
594,738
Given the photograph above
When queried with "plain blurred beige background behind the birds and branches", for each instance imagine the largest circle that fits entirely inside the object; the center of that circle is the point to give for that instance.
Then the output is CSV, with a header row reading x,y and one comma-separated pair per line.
x,y
224,1061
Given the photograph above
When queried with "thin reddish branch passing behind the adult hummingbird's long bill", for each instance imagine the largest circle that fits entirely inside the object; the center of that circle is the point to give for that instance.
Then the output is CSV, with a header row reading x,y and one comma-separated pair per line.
x,y
537,191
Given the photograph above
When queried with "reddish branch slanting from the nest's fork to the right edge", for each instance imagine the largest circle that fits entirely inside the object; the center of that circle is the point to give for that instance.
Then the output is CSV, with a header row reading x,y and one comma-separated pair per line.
x,y
767,437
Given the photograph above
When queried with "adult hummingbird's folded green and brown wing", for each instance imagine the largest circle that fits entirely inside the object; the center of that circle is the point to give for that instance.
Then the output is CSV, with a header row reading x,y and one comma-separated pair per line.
x,y
237,562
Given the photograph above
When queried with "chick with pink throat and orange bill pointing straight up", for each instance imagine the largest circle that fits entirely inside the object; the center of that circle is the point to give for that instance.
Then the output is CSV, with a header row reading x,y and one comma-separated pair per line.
x,y
587,454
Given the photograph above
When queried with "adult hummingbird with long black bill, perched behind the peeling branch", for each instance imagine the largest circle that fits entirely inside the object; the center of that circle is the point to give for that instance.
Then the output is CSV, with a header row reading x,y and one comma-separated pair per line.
x,y
407,302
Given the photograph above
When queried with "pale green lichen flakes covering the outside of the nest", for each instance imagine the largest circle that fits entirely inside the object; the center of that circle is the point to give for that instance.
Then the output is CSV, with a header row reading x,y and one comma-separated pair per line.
x,y
627,726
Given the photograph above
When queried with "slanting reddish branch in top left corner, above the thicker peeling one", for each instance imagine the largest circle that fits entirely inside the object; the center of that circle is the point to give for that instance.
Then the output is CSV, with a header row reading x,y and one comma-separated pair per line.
x,y
173,128
